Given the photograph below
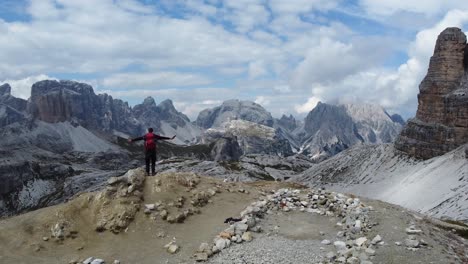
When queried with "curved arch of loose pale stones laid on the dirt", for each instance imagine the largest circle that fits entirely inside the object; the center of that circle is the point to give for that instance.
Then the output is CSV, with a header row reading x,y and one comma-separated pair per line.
x,y
352,247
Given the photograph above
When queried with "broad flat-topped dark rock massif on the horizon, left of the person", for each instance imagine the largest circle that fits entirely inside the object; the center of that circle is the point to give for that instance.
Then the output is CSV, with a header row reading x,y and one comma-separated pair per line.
x,y
59,101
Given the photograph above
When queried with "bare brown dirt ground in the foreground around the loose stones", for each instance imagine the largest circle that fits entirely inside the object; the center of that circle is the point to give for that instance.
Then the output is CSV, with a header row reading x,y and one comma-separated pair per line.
x,y
21,237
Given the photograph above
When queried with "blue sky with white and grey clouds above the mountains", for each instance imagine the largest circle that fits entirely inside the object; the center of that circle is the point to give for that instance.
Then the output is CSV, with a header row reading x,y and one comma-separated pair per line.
x,y
285,55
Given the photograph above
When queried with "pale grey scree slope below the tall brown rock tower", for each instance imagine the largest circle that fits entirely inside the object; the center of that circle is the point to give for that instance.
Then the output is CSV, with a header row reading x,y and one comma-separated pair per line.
x,y
384,173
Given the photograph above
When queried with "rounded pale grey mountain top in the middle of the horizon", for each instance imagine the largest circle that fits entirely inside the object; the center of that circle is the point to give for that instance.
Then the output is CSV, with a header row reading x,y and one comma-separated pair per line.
x,y
234,110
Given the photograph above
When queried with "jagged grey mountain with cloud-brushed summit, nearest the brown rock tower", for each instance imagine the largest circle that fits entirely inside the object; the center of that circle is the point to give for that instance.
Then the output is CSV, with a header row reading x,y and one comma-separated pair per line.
x,y
330,129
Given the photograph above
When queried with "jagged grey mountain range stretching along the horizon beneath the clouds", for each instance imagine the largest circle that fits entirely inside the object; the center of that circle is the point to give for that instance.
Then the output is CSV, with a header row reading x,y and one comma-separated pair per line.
x,y
327,130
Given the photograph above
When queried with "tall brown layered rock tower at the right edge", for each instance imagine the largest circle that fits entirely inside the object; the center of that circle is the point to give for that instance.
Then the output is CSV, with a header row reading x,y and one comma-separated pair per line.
x,y
441,122
